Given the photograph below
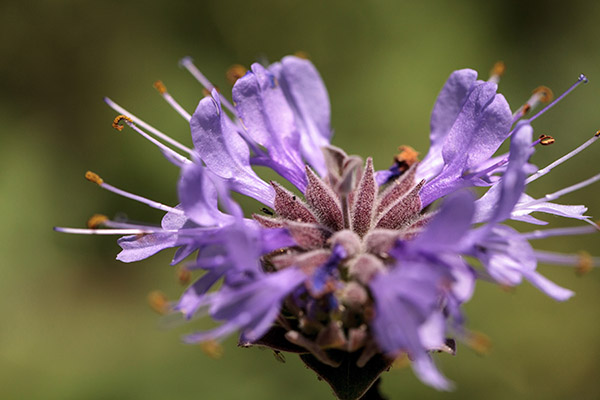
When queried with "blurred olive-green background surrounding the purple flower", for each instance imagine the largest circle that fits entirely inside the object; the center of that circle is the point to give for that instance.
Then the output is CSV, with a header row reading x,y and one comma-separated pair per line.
x,y
74,323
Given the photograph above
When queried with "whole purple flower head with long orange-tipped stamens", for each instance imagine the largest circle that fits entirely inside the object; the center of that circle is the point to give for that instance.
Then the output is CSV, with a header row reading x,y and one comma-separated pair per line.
x,y
347,266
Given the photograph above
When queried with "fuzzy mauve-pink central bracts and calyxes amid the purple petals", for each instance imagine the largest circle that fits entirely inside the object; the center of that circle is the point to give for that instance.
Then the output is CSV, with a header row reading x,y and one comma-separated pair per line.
x,y
344,230
